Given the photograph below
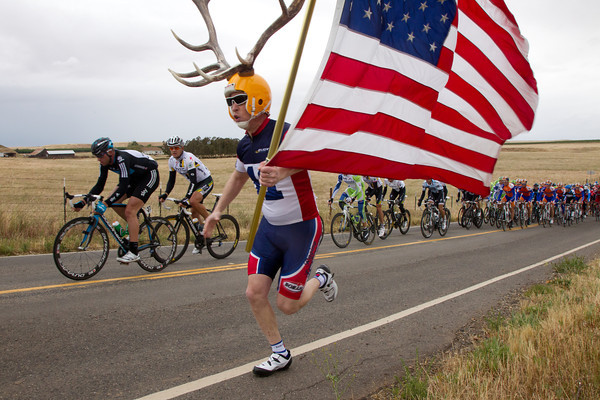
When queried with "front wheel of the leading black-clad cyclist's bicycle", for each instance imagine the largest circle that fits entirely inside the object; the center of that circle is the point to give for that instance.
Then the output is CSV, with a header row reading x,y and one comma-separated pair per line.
x,y
79,250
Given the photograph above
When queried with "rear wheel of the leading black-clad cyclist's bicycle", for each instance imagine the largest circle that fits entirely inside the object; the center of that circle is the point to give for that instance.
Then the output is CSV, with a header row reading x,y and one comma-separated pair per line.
x,y
156,244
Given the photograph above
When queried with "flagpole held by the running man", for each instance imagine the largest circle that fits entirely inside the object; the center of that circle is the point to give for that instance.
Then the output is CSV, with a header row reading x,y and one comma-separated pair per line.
x,y
281,119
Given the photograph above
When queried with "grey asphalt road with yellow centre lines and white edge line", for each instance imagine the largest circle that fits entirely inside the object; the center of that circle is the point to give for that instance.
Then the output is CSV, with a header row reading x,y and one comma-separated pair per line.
x,y
189,331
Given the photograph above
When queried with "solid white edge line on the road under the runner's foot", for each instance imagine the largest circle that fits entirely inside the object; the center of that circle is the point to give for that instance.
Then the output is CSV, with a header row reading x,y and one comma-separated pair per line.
x,y
241,370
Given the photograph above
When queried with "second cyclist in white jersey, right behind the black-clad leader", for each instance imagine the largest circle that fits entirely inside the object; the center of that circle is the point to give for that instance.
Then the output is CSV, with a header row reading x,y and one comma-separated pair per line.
x,y
198,175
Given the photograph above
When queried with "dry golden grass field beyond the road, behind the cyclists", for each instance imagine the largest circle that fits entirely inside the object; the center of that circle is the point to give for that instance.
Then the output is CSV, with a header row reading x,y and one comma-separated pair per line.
x,y
31,190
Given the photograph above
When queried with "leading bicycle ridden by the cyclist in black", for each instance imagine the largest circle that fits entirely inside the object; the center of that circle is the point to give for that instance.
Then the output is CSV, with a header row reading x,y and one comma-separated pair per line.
x,y
81,246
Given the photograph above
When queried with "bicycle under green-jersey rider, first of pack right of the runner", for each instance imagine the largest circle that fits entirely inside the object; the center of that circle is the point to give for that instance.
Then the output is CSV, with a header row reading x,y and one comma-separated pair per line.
x,y
344,225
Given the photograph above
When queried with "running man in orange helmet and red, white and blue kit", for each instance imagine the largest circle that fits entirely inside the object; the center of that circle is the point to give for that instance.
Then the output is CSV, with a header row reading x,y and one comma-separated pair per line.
x,y
290,230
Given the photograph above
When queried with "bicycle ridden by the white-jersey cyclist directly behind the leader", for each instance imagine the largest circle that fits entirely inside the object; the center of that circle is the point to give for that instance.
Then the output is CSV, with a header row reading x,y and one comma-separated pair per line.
x,y
221,244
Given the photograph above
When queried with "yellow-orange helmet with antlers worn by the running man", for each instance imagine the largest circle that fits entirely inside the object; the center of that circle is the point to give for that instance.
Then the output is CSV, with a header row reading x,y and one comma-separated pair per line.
x,y
257,89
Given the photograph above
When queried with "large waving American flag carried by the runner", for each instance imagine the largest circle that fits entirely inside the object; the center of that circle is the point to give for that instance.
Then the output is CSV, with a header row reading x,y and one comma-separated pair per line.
x,y
416,89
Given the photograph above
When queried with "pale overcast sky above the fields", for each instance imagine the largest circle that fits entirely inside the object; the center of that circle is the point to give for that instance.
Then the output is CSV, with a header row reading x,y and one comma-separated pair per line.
x,y
74,70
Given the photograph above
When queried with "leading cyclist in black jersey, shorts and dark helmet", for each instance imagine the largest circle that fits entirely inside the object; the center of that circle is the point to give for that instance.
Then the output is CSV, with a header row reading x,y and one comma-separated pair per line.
x,y
138,179
